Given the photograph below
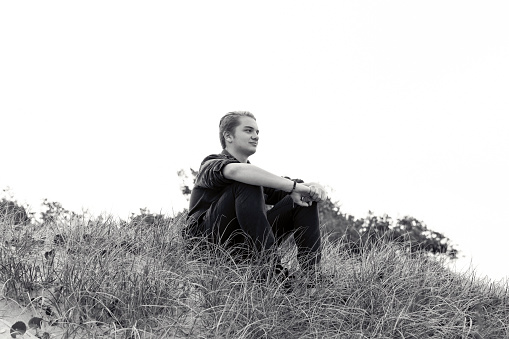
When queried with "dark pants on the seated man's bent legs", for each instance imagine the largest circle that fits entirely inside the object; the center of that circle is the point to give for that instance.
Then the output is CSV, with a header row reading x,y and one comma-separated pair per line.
x,y
239,220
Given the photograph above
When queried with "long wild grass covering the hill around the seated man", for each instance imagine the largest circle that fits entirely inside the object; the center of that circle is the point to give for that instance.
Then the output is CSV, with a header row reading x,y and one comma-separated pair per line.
x,y
100,278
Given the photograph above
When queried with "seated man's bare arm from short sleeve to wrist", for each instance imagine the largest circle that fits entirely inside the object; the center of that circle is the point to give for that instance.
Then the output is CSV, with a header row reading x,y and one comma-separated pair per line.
x,y
253,175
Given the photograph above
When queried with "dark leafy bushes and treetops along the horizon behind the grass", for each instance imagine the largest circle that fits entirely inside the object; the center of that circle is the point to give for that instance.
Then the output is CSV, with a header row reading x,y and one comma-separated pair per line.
x,y
356,233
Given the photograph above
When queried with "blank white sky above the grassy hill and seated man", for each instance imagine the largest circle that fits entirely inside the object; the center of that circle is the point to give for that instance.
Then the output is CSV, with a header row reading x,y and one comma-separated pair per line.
x,y
401,107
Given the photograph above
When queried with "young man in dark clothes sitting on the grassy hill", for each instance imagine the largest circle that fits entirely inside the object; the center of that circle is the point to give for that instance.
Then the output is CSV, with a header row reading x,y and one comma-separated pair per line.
x,y
228,201
